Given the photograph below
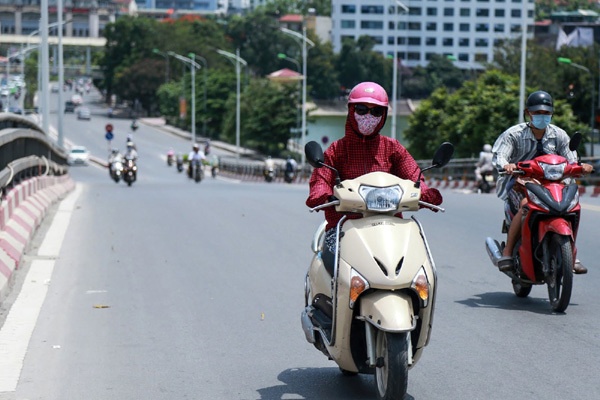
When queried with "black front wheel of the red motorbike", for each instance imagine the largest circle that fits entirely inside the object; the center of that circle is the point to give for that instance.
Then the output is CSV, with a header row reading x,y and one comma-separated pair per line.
x,y
560,277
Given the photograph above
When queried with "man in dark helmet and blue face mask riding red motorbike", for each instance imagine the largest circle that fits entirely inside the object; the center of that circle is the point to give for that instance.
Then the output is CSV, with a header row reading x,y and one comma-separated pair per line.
x,y
523,142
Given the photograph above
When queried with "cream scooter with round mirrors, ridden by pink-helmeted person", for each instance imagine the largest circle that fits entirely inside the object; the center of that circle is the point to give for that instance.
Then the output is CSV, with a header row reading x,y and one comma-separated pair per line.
x,y
373,312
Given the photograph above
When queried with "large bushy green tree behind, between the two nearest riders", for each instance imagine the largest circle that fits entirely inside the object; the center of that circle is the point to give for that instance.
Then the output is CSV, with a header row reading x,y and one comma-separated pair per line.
x,y
472,116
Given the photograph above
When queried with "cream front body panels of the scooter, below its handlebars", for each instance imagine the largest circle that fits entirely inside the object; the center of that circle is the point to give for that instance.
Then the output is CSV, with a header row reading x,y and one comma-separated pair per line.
x,y
388,252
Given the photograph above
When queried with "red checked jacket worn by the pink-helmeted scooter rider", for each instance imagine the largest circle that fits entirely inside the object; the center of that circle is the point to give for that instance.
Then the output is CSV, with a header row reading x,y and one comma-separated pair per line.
x,y
355,155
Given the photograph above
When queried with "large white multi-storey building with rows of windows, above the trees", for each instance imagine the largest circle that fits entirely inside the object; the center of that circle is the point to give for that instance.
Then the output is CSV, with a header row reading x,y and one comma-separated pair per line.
x,y
466,30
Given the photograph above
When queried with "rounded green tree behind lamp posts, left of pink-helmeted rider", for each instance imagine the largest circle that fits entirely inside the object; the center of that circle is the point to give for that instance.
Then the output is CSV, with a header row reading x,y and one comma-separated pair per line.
x,y
268,111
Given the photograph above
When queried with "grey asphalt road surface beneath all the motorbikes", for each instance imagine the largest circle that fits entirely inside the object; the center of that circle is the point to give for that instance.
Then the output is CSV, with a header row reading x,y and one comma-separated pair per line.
x,y
175,290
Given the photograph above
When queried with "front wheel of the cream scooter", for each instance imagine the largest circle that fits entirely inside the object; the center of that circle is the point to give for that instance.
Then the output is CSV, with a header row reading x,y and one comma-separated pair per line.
x,y
391,372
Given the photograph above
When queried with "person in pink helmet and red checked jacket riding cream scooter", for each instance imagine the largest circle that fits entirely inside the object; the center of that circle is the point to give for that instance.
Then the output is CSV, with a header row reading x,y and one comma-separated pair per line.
x,y
362,149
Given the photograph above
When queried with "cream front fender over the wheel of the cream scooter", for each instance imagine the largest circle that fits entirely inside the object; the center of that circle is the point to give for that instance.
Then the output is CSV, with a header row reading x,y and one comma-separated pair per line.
x,y
388,311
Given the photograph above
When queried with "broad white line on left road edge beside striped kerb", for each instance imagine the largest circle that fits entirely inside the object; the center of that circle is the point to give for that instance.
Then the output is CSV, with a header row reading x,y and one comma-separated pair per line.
x,y
22,317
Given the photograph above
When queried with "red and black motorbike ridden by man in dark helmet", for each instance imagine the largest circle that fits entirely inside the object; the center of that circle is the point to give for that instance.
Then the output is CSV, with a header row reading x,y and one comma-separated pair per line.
x,y
546,251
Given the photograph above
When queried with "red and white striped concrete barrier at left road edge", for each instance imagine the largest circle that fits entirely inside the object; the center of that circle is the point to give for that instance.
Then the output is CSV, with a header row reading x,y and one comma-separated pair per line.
x,y
21,212
